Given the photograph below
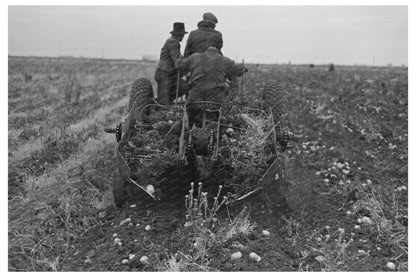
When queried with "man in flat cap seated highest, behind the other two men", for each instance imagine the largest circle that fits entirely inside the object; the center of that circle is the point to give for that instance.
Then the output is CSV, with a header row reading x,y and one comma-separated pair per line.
x,y
200,39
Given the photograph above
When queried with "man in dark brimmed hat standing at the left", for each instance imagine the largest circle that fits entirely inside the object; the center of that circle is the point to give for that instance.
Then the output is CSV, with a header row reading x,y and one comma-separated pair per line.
x,y
166,75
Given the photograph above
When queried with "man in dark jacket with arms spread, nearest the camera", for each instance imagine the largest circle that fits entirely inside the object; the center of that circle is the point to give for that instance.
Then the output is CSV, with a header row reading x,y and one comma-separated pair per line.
x,y
208,74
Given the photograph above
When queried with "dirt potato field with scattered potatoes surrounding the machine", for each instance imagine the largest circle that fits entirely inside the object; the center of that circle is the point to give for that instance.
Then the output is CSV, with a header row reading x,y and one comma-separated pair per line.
x,y
343,206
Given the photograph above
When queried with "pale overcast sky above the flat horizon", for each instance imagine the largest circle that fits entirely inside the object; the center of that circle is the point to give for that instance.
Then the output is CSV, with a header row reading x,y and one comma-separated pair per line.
x,y
264,34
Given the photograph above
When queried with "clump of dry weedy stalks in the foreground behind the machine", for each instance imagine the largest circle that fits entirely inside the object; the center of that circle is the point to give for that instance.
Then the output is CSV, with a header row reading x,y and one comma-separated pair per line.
x,y
207,230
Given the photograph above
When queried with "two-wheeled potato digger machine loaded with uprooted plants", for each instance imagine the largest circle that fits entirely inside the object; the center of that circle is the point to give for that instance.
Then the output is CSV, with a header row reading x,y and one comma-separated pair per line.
x,y
161,149
